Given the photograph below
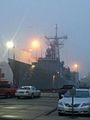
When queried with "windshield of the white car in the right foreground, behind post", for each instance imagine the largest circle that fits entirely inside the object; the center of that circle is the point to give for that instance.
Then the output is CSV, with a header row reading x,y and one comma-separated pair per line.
x,y
79,94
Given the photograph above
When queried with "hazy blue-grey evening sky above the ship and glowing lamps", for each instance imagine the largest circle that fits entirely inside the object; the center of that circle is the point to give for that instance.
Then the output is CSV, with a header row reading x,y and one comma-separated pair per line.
x,y
23,20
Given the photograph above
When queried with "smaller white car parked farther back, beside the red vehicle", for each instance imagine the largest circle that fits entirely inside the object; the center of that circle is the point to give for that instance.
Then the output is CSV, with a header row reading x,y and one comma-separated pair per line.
x,y
27,91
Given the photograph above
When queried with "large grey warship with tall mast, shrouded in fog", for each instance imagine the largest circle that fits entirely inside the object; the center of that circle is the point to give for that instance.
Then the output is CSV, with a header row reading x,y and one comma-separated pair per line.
x,y
48,72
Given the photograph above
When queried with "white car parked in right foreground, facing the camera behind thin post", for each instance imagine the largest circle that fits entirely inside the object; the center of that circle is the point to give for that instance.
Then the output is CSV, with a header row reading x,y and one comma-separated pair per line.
x,y
81,103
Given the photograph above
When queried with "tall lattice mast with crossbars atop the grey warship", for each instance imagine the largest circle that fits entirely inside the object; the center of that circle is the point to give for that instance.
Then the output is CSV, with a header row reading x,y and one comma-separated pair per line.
x,y
55,44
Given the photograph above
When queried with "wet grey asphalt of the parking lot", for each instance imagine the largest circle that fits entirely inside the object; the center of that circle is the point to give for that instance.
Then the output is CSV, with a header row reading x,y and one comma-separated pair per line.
x,y
43,108
